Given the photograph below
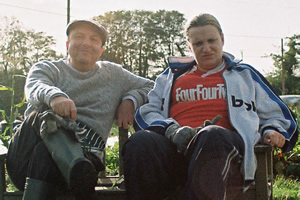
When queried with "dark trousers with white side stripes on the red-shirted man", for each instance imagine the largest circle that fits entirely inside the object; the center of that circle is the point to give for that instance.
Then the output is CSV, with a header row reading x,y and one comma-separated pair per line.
x,y
211,168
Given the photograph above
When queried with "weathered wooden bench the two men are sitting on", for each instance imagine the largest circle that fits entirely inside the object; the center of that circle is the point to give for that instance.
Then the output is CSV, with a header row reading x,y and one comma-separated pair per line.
x,y
261,190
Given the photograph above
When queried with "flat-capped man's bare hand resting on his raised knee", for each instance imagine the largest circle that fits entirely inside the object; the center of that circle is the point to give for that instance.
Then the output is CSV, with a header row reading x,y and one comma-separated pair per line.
x,y
64,107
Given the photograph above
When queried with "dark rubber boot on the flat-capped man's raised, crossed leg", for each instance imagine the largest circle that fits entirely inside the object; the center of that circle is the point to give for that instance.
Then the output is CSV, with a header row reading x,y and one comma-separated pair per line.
x,y
78,171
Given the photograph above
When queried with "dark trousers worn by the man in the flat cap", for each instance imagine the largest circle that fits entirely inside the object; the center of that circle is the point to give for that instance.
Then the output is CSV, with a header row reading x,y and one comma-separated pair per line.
x,y
29,157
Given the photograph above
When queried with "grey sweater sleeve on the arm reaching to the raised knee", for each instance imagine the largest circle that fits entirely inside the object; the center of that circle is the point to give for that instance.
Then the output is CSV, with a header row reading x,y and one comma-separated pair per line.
x,y
40,84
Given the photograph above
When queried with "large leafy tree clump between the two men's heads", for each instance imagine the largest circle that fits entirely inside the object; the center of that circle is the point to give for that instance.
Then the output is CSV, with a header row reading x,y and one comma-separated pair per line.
x,y
142,40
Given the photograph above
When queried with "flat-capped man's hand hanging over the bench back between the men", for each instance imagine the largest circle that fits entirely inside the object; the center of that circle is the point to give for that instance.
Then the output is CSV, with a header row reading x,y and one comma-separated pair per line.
x,y
125,113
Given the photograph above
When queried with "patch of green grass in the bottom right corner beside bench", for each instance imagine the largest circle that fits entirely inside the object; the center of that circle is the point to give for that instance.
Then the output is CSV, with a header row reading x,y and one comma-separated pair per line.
x,y
286,188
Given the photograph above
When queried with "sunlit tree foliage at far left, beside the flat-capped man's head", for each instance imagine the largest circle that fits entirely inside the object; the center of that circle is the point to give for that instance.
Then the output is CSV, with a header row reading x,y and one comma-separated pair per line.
x,y
20,48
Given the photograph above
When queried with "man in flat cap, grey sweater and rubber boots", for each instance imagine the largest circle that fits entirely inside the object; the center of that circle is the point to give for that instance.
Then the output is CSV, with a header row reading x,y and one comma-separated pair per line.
x,y
72,104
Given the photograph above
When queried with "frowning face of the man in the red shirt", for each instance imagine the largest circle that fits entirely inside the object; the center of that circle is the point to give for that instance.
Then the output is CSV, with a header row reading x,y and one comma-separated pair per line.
x,y
206,43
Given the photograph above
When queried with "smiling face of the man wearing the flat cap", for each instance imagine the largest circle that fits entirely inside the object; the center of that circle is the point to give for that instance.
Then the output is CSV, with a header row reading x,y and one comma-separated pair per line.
x,y
84,46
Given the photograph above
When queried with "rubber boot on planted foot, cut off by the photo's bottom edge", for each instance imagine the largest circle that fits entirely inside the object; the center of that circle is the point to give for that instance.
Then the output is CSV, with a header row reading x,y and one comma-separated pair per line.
x,y
39,190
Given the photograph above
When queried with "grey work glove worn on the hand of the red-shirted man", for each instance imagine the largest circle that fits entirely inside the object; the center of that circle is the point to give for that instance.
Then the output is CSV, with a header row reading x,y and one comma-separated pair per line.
x,y
180,136
